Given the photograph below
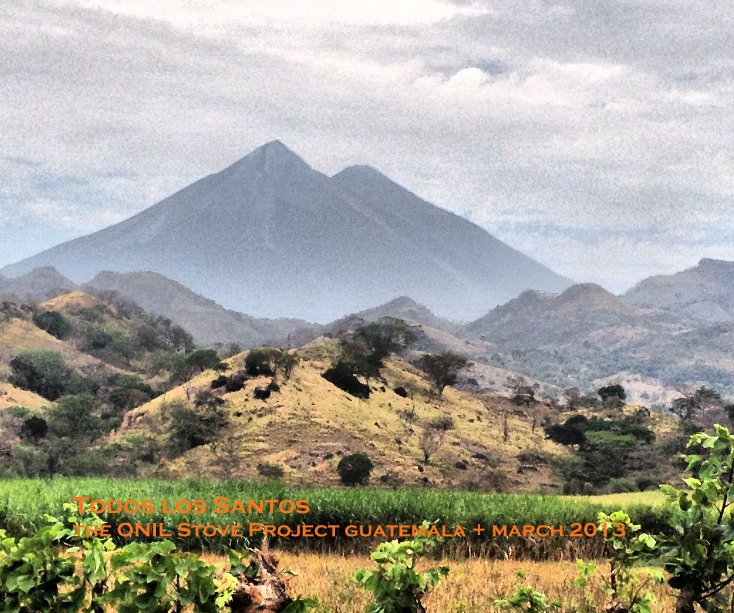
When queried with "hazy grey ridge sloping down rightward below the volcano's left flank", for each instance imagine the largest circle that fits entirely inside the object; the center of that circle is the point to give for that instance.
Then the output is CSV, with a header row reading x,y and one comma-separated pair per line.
x,y
207,321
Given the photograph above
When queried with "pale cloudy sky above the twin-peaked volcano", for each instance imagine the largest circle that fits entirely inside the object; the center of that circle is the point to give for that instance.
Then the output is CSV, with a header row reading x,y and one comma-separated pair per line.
x,y
595,136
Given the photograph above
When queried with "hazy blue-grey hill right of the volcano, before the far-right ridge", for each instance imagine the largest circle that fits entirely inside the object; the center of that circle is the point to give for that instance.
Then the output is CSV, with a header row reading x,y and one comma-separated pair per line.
x,y
586,334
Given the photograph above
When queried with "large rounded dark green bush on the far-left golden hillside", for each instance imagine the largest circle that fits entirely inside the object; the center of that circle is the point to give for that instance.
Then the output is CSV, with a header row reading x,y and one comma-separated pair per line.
x,y
45,373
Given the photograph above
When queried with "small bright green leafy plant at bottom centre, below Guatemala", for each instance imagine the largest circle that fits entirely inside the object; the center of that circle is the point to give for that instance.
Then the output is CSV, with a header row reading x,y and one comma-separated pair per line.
x,y
396,585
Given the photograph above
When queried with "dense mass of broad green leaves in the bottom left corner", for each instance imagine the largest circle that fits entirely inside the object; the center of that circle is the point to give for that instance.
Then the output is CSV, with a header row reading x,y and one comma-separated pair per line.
x,y
36,575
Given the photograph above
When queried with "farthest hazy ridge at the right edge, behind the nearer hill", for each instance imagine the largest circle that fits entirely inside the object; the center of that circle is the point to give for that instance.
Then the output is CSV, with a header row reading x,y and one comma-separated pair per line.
x,y
705,291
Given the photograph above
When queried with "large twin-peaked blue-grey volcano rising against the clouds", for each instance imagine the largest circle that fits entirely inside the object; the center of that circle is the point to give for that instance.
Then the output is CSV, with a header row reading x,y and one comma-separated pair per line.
x,y
271,236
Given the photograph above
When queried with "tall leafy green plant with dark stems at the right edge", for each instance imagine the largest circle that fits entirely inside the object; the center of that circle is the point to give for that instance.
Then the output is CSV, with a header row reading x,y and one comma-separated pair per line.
x,y
699,550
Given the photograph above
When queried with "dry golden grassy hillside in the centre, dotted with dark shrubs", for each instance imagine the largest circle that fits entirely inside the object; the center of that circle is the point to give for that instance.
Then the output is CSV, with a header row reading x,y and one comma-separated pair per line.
x,y
310,423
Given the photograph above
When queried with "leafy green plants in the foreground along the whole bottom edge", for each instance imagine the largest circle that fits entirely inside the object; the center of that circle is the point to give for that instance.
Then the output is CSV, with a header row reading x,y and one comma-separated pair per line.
x,y
56,569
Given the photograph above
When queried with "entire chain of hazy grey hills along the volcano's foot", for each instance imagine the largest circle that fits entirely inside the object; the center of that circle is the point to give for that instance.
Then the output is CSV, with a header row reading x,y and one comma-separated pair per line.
x,y
655,339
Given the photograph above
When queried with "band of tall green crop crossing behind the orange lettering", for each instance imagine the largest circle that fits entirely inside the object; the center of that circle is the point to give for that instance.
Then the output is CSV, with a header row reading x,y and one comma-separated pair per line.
x,y
23,504
